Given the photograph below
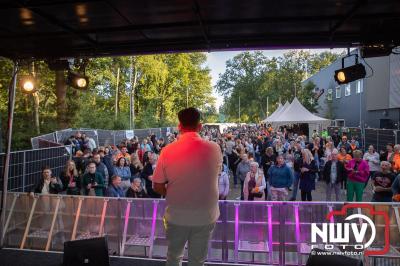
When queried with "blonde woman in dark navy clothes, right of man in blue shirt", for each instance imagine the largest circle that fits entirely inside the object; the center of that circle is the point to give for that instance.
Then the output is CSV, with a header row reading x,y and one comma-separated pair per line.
x,y
307,175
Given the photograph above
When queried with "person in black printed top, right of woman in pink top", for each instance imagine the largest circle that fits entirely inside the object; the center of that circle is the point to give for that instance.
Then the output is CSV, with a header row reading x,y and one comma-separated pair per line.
x,y
382,183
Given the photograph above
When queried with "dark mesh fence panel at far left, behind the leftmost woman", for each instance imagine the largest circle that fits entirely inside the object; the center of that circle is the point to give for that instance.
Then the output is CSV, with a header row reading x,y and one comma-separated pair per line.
x,y
25,166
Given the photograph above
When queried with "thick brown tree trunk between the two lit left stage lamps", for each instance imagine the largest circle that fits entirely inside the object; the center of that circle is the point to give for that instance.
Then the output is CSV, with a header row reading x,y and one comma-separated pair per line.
x,y
61,93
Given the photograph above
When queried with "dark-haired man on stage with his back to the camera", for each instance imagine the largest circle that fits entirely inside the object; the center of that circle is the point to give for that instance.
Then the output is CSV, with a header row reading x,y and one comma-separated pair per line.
x,y
187,173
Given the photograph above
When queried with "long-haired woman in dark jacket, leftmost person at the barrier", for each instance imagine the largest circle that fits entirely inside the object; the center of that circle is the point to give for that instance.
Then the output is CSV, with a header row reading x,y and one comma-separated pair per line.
x,y
48,184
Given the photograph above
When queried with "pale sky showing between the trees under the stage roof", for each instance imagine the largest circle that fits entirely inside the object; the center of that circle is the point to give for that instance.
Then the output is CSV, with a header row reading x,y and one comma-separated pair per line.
x,y
216,63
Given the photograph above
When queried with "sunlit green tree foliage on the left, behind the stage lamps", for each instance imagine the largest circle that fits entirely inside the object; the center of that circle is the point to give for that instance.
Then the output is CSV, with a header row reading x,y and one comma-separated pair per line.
x,y
162,83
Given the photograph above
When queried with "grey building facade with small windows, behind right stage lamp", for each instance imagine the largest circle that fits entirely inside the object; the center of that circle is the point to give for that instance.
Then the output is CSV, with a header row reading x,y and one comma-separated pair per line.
x,y
370,102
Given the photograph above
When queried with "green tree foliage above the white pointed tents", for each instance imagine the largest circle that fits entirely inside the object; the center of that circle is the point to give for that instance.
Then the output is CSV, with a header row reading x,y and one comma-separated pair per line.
x,y
255,78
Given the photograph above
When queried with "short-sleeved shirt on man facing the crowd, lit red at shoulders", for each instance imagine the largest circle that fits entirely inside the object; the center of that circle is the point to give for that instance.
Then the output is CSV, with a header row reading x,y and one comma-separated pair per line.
x,y
190,166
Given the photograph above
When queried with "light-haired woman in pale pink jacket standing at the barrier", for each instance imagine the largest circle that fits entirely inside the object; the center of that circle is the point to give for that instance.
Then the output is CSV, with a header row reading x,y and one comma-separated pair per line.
x,y
254,184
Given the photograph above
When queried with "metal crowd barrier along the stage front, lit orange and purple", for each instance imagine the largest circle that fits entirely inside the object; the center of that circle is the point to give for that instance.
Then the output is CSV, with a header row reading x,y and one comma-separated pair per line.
x,y
273,233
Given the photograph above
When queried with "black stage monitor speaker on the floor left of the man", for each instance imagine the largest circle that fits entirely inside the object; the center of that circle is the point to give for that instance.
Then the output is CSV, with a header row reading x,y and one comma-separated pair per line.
x,y
86,252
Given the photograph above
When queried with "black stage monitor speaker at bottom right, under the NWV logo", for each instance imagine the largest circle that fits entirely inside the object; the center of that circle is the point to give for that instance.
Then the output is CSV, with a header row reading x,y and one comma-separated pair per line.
x,y
331,260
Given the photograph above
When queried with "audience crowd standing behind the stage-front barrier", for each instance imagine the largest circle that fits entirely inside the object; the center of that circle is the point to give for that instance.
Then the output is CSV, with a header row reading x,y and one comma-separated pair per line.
x,y
266,164
